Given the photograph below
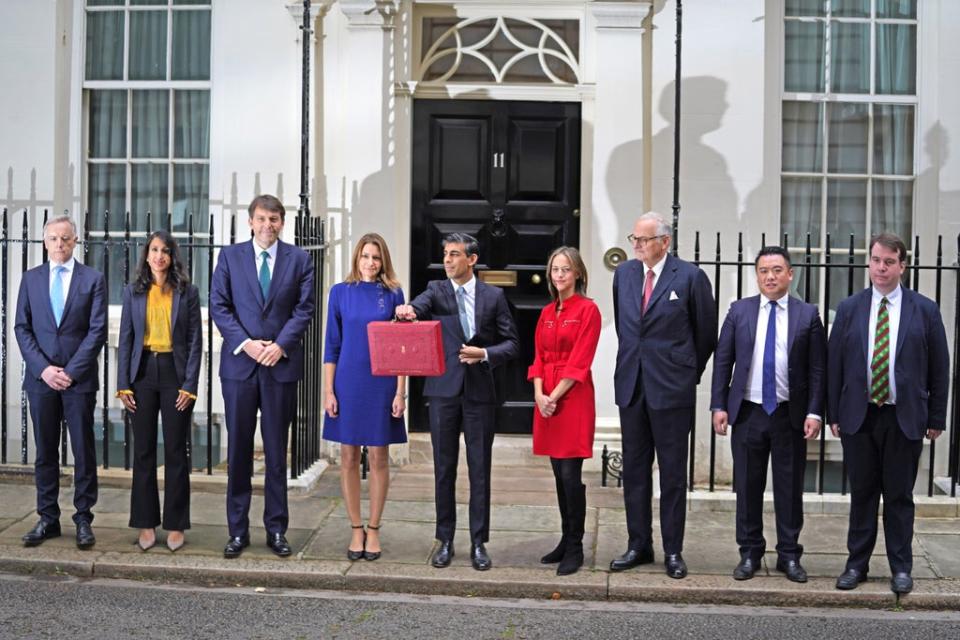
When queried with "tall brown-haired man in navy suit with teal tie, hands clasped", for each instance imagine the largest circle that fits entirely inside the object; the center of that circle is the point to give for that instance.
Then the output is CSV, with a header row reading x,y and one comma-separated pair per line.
x,y
261,299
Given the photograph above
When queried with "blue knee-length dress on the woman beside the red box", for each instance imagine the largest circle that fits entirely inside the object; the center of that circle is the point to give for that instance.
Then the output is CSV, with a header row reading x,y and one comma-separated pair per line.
x,y
364,400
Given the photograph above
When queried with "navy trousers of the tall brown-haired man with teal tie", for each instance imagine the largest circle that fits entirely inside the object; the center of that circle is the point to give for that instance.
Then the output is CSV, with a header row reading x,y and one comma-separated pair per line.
x,y
276,402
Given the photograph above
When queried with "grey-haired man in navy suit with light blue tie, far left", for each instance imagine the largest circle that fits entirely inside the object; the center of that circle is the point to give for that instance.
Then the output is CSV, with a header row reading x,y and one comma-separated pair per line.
x,y
61,325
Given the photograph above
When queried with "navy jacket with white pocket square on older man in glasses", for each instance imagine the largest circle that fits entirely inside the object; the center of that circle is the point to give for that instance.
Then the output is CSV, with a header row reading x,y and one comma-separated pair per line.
x,y
665,350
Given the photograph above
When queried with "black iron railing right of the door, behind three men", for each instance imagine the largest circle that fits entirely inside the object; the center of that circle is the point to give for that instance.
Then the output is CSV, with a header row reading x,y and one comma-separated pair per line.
x,y
817,266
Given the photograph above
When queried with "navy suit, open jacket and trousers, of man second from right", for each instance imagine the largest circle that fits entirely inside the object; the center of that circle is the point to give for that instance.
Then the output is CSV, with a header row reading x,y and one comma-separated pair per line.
x,y
757,436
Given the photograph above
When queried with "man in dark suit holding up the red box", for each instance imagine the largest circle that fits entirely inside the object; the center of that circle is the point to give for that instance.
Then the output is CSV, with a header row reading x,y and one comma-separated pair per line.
x,y
478,335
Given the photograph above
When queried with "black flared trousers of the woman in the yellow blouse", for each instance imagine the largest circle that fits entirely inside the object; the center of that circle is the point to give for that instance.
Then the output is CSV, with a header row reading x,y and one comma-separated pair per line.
x,y
155,391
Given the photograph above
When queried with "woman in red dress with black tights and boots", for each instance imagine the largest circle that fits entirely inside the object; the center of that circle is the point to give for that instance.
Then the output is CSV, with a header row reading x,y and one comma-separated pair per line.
x,y
563,423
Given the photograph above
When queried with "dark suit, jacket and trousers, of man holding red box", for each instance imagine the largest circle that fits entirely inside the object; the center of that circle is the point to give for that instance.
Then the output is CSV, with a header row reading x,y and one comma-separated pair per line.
x,y
465,395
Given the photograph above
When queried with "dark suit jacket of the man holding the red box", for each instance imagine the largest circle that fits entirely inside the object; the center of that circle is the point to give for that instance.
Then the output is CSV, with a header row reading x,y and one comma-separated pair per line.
x,y
495,331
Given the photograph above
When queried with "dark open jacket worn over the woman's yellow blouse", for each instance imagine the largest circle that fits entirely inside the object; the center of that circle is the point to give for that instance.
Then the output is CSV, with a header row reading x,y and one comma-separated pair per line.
x,y
187,337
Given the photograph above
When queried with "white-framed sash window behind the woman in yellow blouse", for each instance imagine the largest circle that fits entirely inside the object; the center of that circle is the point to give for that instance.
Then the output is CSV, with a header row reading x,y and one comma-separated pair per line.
x,y
147,121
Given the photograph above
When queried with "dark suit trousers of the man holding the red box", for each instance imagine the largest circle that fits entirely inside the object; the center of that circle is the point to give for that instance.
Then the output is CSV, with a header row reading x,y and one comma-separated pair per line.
x,y
447,417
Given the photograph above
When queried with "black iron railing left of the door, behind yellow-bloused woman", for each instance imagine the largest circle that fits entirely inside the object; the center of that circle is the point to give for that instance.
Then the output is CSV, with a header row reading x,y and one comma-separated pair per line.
x,y
305,432
